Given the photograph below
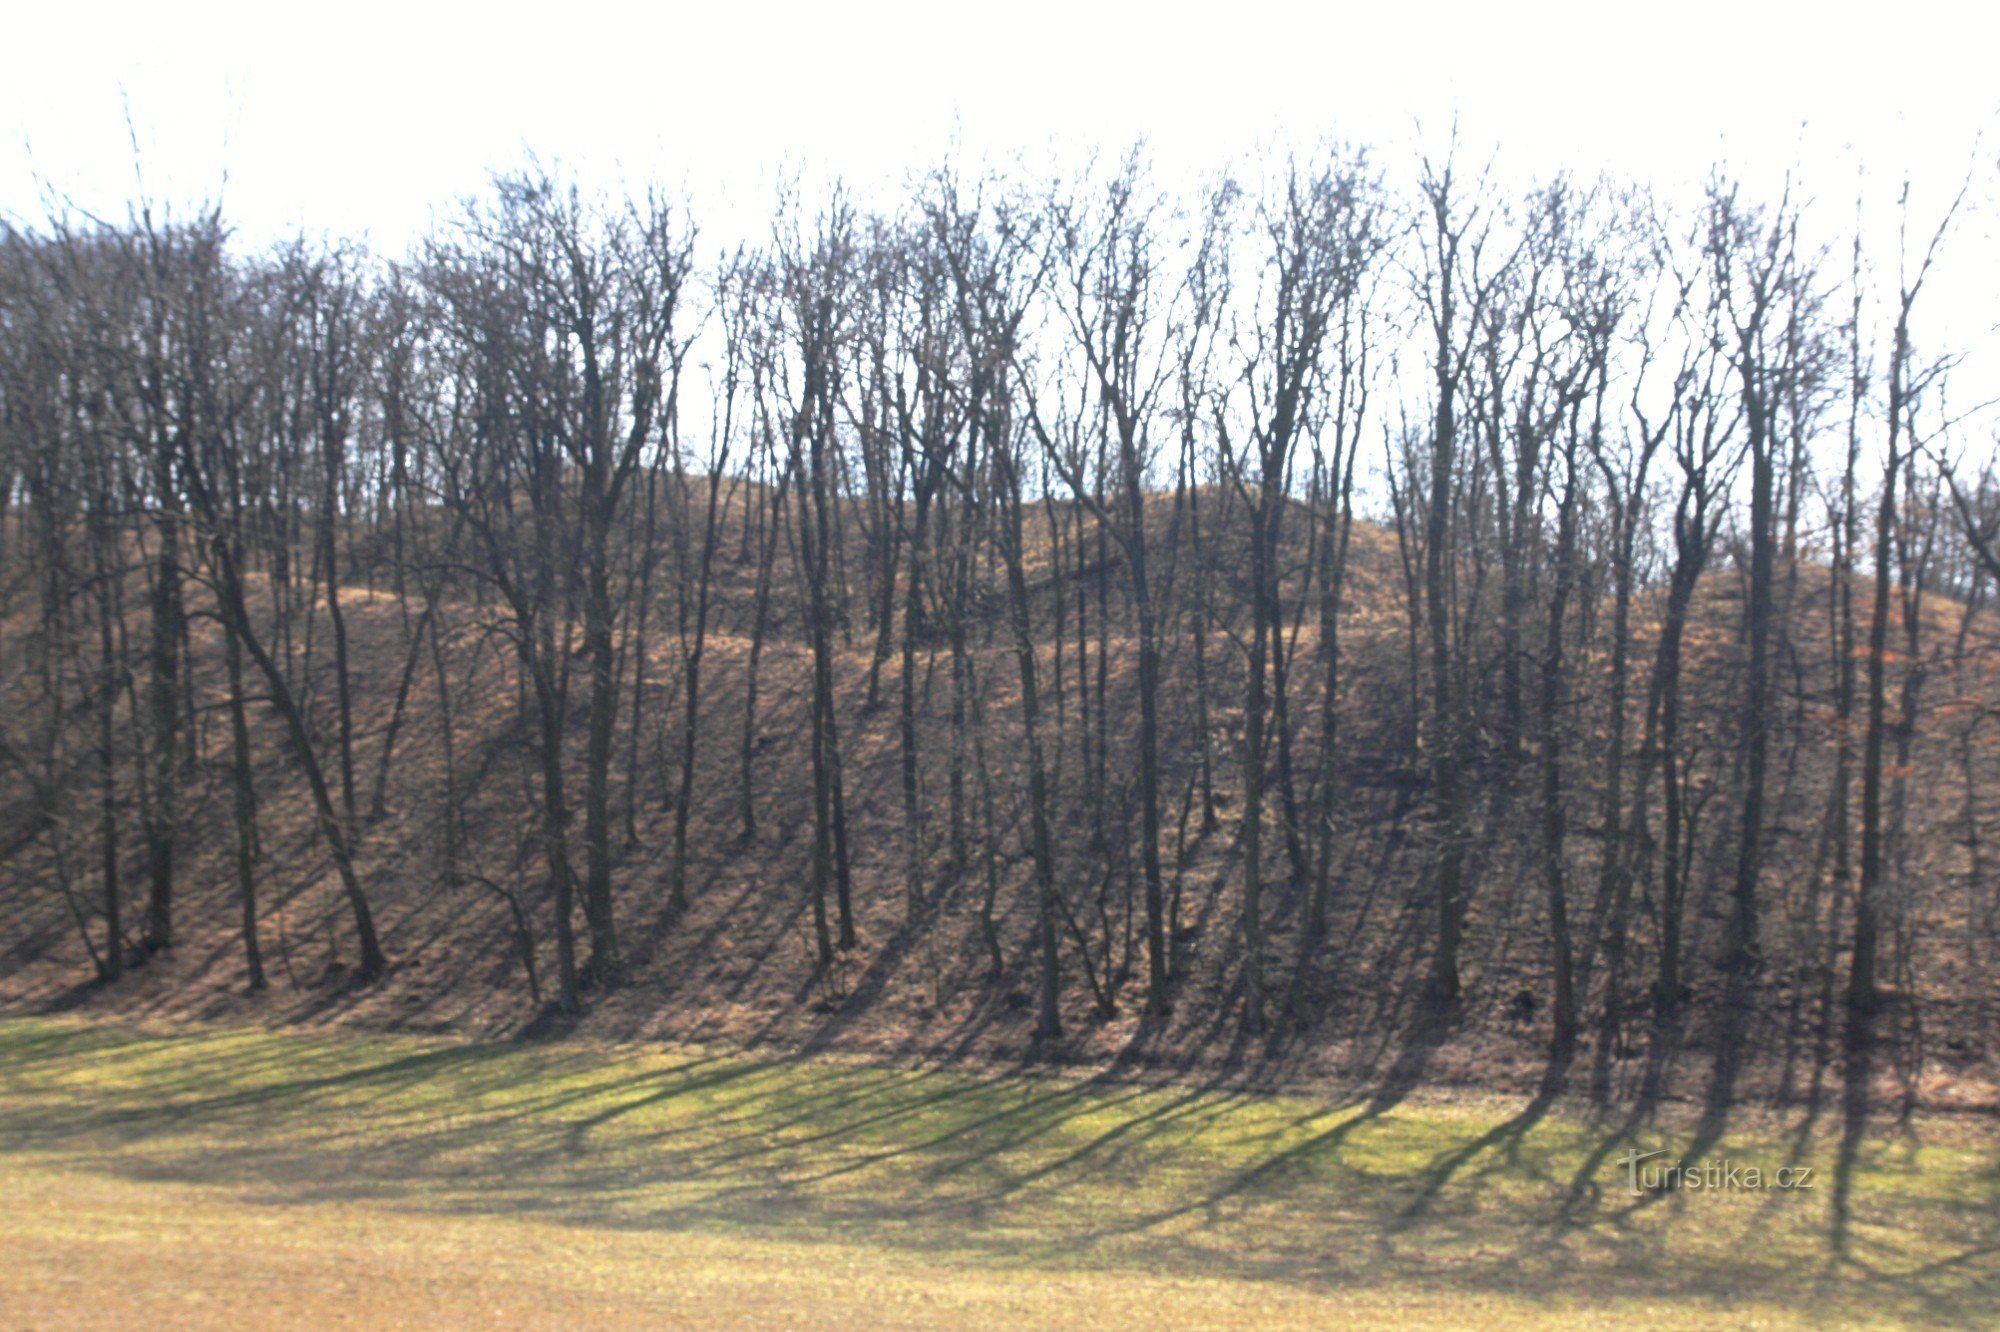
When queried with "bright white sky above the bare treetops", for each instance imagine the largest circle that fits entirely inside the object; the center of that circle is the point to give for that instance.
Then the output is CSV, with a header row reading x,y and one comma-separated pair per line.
x,y
359,119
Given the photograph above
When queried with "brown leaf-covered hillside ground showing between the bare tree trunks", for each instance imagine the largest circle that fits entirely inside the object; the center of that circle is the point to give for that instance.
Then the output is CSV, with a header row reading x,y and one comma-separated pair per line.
x,y
737,967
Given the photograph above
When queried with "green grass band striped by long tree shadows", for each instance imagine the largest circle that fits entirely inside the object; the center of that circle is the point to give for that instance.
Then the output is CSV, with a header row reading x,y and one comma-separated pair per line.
x,y
1373,1187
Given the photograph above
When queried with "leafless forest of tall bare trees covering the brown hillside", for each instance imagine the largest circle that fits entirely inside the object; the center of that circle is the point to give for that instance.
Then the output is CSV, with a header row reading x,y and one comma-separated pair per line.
x,y
1087,621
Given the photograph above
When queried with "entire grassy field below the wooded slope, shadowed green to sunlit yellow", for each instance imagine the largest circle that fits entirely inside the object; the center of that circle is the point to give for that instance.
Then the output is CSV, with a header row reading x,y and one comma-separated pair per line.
x,y
243,1177
